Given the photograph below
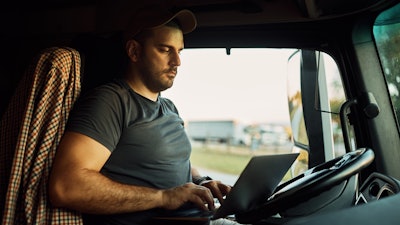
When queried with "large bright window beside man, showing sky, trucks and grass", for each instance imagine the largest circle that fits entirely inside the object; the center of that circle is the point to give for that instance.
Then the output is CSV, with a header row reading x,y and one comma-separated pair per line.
x,y
234,106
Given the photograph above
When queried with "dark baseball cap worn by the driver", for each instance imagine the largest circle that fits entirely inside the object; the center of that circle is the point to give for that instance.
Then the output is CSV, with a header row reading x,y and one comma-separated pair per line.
x,y
154,17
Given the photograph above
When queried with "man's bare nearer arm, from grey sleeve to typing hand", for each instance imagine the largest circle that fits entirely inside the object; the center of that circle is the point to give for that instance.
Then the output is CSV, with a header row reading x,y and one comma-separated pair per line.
x,y
76,183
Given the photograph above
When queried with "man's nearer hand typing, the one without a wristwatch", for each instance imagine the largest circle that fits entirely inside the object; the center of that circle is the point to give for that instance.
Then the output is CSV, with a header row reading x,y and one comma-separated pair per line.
x,y
175,197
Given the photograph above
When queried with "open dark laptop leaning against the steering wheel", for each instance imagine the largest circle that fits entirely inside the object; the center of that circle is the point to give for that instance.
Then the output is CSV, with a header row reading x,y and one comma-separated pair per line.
x,y
256,183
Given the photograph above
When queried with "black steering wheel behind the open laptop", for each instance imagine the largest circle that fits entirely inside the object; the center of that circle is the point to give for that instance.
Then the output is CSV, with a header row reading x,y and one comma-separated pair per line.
x,y
309,184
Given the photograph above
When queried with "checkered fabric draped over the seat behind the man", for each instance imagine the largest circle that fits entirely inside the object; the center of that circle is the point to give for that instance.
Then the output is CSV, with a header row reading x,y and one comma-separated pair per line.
x,y
30,131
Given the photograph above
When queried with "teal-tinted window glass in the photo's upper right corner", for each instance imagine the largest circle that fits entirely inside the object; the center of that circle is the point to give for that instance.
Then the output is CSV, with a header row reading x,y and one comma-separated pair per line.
x,y
387,36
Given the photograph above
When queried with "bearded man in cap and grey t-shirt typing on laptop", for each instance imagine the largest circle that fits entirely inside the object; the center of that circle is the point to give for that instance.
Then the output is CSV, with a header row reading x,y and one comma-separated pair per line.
x,y
125,155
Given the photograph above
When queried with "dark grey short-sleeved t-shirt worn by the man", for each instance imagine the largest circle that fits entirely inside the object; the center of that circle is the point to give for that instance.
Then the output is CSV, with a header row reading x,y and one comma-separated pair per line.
x,y
148,143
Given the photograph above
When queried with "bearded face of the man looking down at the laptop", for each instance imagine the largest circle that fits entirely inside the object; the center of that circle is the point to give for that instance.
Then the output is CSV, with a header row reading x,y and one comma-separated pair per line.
x,y
159,58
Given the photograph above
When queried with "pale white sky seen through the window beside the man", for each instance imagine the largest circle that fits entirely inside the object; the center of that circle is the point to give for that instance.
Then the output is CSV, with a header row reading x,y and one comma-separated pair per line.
x,y
248,86
